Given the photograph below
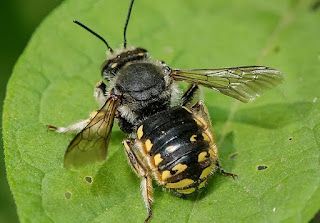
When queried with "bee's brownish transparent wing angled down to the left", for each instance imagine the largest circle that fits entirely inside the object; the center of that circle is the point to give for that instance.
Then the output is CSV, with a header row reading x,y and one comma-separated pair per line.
x,y
91,144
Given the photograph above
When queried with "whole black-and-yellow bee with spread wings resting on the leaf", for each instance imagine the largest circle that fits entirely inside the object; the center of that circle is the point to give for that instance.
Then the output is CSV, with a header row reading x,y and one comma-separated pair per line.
x,y
169,142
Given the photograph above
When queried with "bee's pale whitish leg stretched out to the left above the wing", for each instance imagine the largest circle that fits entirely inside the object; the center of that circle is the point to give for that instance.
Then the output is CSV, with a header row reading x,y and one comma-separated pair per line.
x,y
73,128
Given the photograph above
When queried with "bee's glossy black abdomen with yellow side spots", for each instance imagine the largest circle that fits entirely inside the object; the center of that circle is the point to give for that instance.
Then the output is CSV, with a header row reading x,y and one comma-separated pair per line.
x,y
179,148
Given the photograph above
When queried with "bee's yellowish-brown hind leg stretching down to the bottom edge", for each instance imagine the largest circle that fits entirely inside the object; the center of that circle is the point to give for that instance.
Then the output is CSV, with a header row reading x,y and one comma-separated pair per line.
x,y
142,171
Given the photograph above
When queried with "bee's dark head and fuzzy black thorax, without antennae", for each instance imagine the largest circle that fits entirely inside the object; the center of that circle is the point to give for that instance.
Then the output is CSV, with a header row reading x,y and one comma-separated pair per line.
x,y
134,75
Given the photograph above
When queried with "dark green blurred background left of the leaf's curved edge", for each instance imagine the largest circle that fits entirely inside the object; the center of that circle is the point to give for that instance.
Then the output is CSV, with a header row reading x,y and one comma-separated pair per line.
x,y
18,19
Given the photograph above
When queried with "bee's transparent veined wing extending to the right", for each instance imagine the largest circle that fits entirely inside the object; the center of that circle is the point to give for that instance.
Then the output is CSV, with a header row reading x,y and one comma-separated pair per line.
x,y
242,83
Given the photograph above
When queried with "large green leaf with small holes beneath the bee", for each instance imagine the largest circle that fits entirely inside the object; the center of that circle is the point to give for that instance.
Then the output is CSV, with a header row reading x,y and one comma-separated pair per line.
x,y
53,83
